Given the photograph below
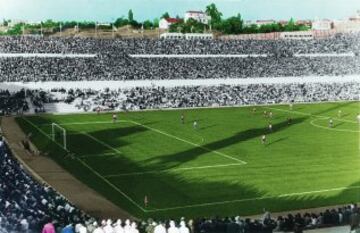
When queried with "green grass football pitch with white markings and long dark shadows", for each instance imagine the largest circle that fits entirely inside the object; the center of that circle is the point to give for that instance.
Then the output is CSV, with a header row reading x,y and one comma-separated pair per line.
x,y
220,168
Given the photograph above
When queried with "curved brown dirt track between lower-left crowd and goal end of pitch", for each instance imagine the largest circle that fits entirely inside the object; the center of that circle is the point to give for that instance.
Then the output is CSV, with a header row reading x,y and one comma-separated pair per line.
x,y
47,171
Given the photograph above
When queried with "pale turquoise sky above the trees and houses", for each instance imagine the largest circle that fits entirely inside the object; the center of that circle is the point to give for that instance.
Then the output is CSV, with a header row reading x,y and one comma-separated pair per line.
x,y
109,10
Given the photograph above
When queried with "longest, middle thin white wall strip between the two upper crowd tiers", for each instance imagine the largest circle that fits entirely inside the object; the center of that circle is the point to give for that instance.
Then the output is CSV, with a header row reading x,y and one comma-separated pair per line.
x,y
196,55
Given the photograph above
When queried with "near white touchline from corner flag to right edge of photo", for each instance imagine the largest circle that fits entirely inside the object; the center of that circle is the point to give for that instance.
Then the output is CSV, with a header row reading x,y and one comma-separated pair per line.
x,y
254,199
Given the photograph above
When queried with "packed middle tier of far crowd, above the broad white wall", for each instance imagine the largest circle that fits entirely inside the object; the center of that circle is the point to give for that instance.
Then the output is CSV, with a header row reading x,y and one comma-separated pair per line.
x,y
94,69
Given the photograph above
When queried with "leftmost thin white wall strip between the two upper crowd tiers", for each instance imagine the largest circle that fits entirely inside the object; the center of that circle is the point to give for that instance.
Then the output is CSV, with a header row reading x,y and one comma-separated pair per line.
x,y
46,55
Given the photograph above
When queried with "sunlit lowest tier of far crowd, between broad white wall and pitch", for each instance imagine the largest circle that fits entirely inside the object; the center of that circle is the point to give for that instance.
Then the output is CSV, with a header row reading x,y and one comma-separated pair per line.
x,y
206,96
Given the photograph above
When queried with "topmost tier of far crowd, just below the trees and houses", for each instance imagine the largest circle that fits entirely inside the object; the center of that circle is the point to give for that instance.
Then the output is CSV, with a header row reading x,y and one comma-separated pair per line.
x,y
340,43
